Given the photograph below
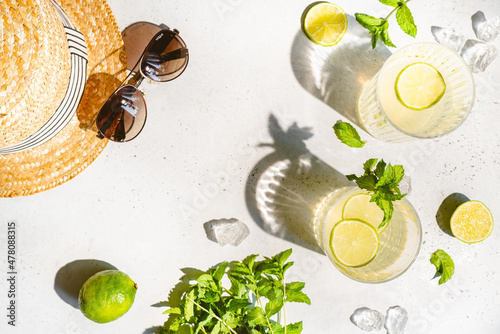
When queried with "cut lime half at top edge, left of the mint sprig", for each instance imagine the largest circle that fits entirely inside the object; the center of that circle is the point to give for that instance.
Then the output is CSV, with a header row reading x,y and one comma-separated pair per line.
x,y
324,23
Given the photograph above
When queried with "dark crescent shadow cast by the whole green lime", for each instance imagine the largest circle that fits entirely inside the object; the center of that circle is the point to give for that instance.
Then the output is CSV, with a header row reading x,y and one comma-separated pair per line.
x,y
70,278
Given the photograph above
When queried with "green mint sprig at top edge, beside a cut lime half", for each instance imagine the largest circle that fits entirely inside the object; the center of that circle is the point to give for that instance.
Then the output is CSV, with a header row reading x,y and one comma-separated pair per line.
x,y
379,27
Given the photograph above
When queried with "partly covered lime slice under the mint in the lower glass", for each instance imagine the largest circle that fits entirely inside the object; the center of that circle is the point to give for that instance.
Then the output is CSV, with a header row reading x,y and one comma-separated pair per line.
x,y
359,207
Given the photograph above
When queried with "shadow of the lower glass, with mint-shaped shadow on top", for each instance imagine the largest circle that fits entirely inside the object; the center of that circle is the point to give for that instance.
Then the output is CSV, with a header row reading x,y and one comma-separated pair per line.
x,y
285,186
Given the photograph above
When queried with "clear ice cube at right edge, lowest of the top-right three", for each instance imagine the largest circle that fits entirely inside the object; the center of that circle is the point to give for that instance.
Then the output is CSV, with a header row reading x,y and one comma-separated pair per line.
x,y
478,55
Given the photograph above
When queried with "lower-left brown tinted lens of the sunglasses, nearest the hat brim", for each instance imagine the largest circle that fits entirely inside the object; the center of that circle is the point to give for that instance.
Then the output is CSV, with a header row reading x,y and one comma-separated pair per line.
x,y
123,115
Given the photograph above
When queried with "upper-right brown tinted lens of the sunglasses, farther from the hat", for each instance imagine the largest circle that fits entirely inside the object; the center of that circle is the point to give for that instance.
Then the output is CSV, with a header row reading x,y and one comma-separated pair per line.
x,y
166,57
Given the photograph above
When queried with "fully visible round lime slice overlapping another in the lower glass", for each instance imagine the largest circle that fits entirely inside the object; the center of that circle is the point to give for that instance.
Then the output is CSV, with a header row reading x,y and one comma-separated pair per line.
x,y
354,243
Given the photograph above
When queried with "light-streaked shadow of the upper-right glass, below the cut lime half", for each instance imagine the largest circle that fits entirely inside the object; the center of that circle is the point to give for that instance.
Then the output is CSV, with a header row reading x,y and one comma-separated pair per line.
x,y
336,75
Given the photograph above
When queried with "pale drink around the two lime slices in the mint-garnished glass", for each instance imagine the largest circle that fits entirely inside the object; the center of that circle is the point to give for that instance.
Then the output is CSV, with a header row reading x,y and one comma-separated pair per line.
x,y
399,241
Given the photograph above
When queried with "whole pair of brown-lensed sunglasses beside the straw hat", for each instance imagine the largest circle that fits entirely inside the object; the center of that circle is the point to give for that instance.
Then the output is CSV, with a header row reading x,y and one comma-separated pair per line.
x,y
123,115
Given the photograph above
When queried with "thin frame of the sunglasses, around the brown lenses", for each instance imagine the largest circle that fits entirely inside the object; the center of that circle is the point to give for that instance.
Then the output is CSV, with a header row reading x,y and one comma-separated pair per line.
x,y
136,76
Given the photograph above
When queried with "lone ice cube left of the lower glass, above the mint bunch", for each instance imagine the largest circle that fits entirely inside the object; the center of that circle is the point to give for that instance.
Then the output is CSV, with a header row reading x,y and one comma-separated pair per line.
x,y
226,231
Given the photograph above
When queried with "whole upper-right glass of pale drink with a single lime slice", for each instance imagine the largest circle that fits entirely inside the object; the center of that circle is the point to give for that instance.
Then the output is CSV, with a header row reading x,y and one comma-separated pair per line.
x,y
424,90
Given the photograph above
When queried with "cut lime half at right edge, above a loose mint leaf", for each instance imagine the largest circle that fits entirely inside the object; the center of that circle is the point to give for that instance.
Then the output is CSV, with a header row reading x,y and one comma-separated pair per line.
x,y
471,222
